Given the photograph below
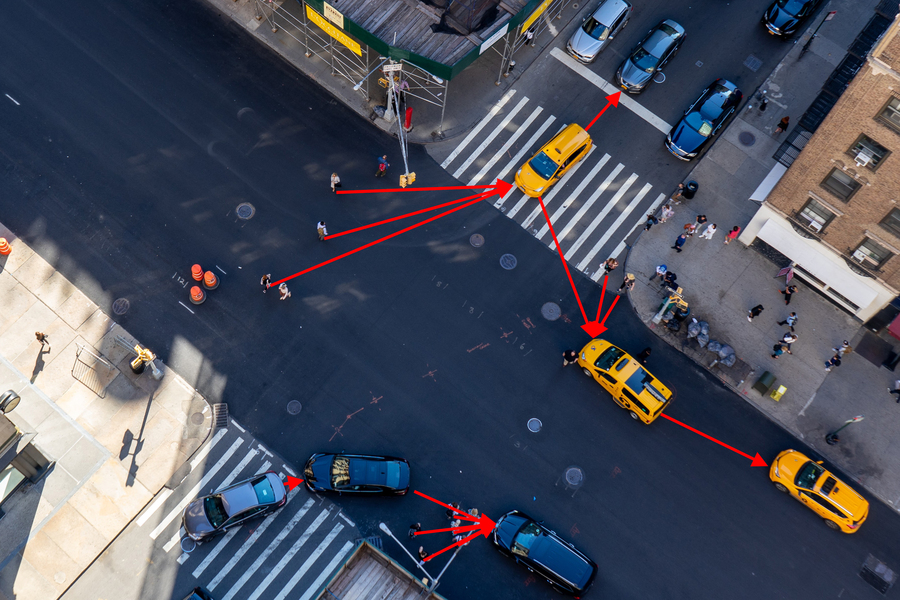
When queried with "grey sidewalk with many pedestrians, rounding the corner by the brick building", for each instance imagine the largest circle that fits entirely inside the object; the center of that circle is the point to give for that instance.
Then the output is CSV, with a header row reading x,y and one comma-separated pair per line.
x,y
721,283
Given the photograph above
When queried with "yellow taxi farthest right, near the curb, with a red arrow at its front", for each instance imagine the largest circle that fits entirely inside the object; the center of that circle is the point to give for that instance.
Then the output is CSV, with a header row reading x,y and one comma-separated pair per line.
x,y
810,483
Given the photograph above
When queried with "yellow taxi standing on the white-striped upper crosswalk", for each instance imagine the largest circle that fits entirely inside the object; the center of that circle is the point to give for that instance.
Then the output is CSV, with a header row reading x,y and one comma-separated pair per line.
x,y
554,160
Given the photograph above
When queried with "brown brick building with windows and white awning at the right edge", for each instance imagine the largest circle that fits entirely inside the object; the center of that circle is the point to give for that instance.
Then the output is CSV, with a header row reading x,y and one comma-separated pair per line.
x,y
835,213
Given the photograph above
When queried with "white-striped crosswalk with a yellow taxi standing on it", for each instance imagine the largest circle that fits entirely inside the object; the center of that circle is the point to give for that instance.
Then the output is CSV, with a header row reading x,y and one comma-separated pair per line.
x,y
594,209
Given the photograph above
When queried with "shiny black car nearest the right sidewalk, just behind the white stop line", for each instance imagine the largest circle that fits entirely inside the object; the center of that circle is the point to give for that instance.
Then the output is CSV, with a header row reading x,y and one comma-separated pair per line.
x,y
703,119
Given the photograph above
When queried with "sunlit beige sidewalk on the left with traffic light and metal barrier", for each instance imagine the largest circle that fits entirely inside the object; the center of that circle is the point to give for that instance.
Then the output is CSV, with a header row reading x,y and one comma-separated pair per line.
x,y
115,439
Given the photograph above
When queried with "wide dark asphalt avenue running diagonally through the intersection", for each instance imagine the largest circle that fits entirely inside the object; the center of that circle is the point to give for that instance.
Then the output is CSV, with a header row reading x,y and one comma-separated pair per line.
x,y
138,131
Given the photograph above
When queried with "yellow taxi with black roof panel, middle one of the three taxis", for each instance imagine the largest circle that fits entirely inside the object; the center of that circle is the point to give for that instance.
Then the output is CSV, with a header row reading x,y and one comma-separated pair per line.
x,y
631,385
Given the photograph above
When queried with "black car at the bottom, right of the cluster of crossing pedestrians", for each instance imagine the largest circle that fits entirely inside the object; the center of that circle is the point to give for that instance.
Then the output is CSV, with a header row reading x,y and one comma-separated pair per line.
x,y
544,553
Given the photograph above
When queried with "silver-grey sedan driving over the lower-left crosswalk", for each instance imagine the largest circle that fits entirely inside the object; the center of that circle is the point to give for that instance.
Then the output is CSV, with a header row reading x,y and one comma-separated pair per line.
x,y
211,515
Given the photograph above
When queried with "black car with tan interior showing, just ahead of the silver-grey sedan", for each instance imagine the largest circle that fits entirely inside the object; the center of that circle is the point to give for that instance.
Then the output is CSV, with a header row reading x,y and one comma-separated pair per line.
x,y
356,474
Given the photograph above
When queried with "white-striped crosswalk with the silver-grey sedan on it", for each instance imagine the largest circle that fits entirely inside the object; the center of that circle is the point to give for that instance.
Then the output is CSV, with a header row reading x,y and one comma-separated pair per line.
x,y
290,554
